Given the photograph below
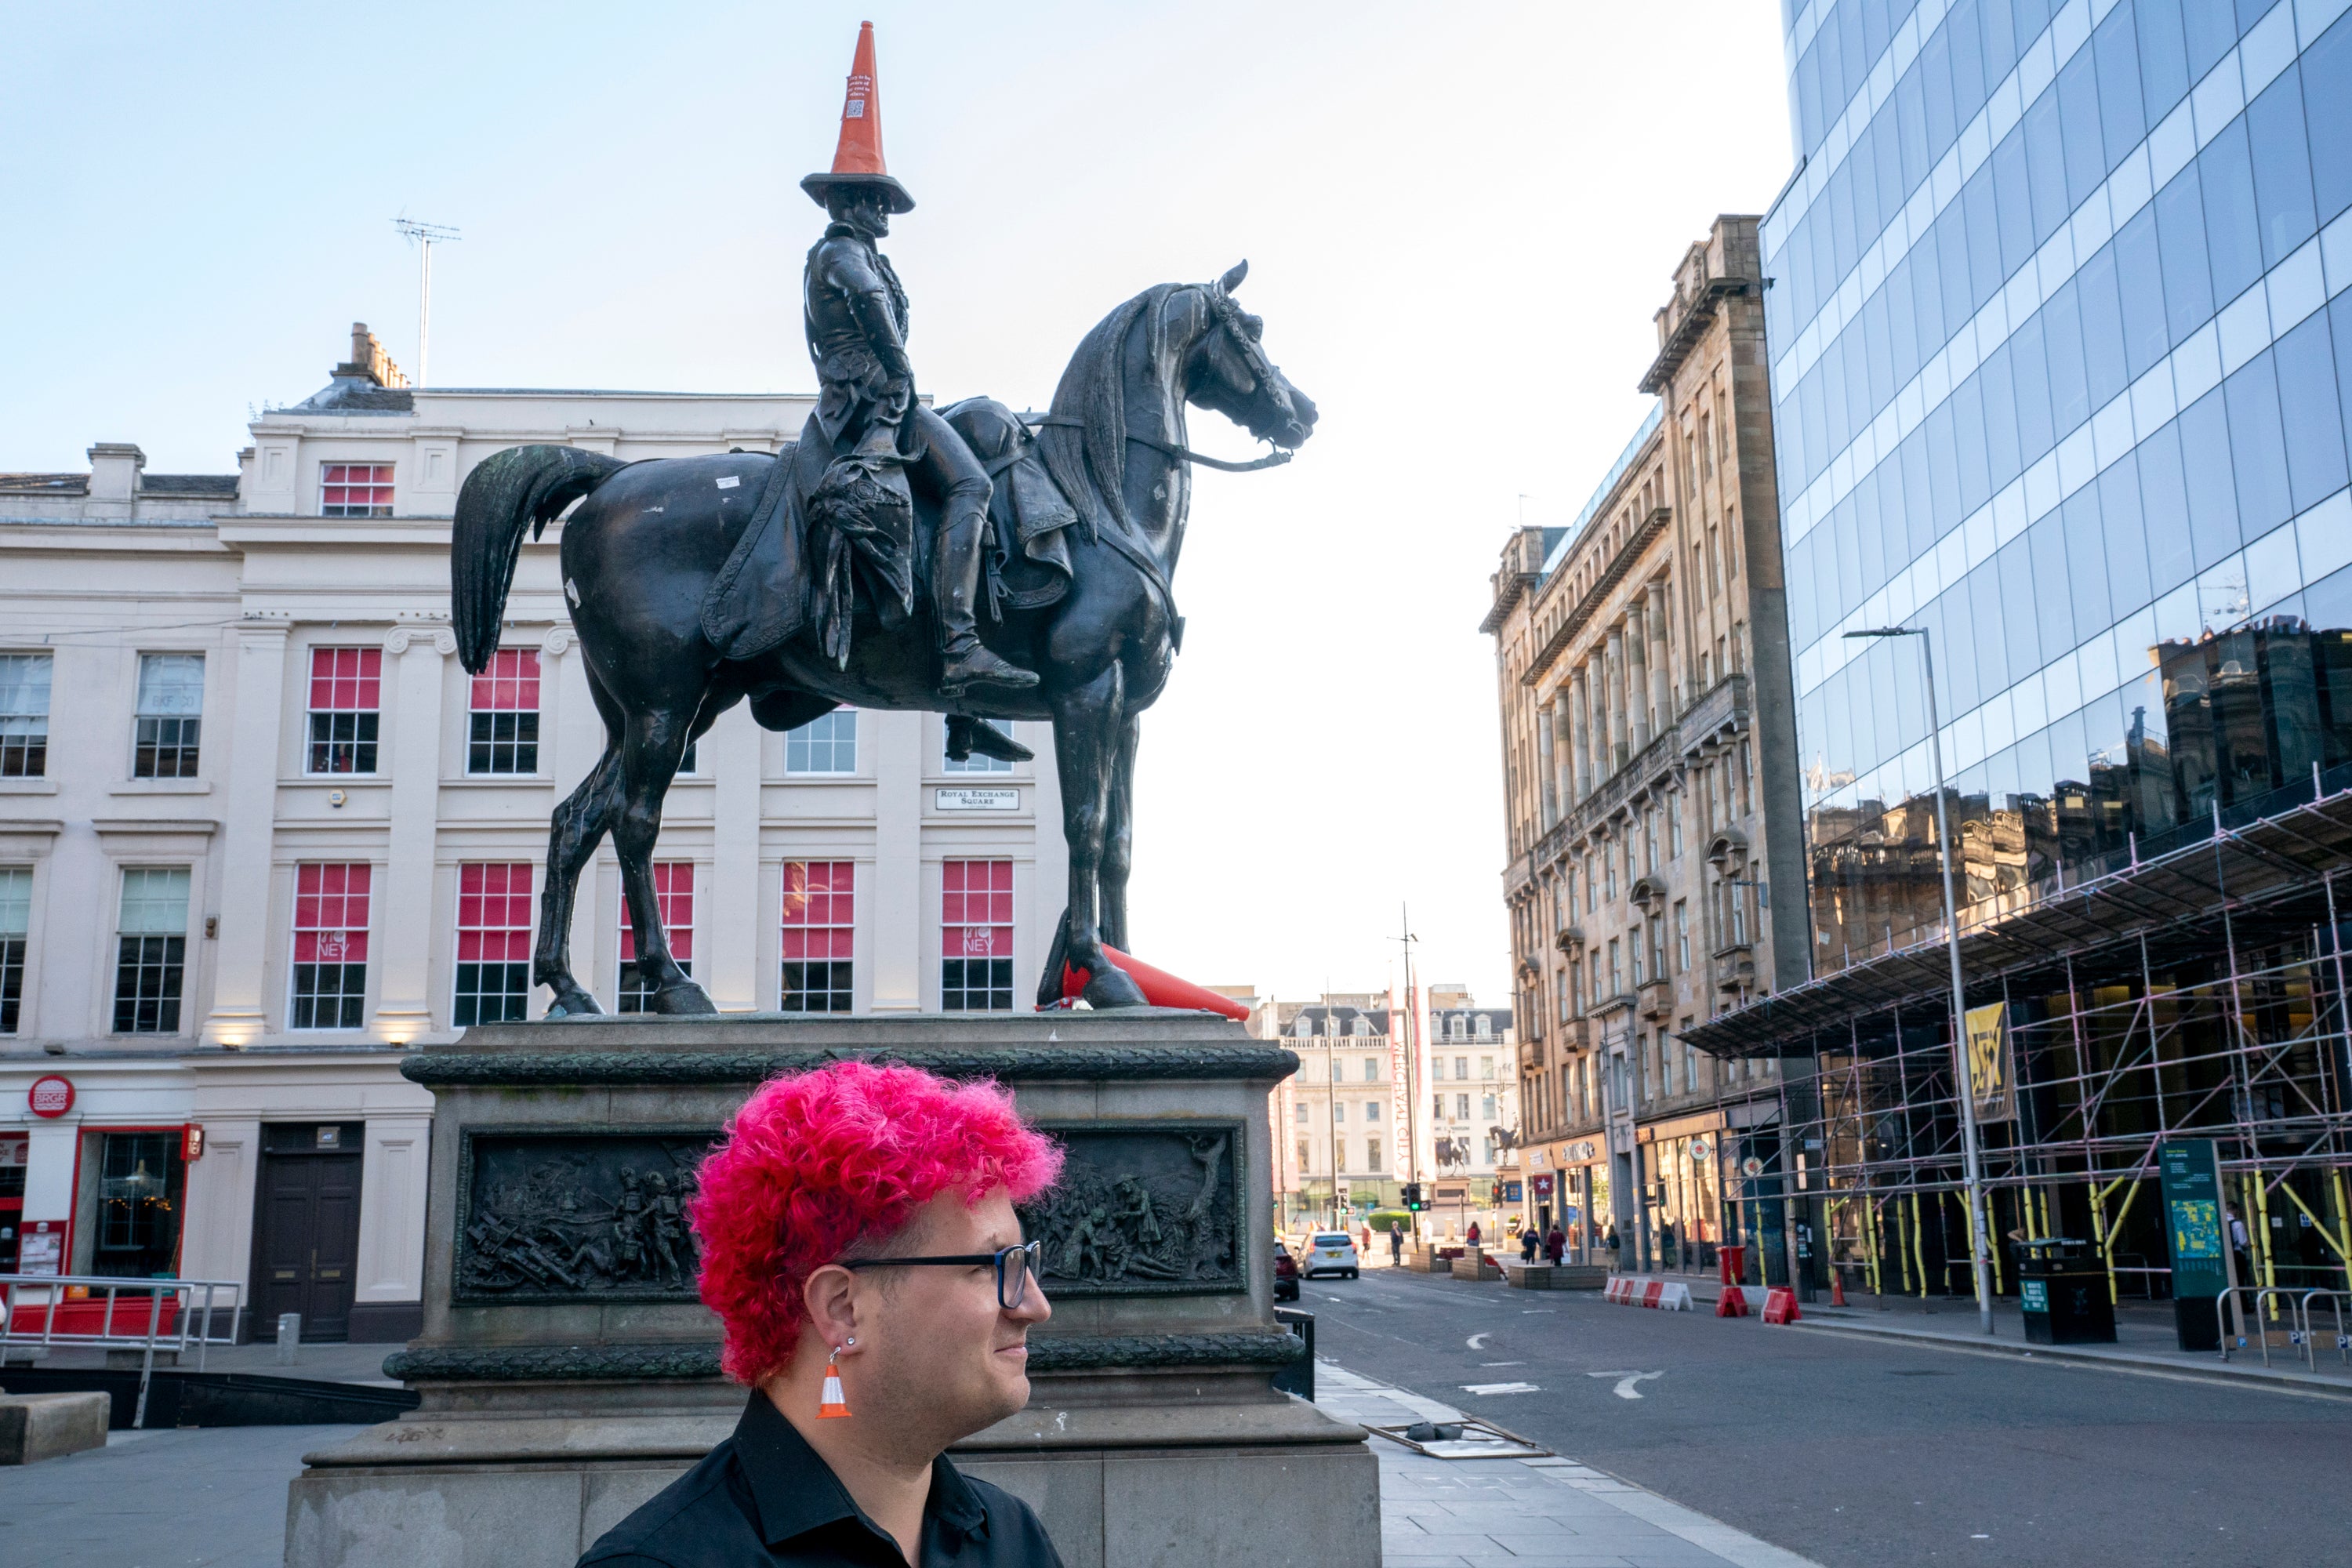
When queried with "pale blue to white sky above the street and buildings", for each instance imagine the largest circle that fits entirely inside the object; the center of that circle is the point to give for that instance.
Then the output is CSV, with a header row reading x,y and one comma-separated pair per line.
x,y
1457,220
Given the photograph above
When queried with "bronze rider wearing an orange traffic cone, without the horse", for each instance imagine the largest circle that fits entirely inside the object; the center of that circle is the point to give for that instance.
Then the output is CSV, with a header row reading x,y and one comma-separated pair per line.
x,y
867,403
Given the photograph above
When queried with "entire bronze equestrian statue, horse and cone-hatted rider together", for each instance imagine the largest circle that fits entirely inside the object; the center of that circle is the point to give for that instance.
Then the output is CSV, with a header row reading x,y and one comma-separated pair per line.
x,y
791,582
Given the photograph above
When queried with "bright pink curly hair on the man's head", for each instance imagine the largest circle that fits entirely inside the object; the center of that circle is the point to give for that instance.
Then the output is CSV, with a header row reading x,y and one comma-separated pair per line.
x,y
822,1160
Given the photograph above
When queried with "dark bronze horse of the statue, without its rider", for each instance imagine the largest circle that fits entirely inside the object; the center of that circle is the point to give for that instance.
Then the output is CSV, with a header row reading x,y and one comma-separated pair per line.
x,y
646,544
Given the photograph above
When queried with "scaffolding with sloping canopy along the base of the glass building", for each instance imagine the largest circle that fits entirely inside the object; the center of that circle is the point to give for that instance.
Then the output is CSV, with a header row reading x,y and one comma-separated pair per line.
x,y
2191,996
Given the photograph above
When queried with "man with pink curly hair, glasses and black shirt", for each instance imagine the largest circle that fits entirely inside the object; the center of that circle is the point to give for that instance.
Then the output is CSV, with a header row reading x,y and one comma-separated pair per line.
x,y
862,1249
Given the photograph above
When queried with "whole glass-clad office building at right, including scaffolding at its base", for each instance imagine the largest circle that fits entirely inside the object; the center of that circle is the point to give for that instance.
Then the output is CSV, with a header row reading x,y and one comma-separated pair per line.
x,y
2062,356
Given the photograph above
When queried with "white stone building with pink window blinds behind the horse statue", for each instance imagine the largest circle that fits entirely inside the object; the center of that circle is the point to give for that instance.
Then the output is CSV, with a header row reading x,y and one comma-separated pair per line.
x,y
260,833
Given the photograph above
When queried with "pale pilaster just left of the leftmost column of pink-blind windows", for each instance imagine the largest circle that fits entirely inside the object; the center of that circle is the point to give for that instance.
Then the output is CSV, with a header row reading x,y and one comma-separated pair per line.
x,y
250,822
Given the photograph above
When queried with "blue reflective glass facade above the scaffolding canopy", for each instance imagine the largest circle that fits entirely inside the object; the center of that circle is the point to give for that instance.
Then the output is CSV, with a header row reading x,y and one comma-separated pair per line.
x,y
2062,363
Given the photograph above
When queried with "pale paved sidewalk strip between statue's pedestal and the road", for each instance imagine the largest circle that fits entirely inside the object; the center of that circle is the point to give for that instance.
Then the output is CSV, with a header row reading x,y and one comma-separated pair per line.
x,y
1528,1513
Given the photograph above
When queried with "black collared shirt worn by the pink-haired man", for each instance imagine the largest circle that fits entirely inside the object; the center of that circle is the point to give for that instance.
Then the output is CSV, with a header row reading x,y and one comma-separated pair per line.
x,y
766,1496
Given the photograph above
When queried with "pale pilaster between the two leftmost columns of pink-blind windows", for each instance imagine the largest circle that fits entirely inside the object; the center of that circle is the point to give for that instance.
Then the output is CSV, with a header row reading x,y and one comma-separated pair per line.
x,y
403,899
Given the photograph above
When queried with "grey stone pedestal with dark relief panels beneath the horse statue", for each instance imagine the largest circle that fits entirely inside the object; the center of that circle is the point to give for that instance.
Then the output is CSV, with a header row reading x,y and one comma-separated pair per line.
x,y
563,1383
